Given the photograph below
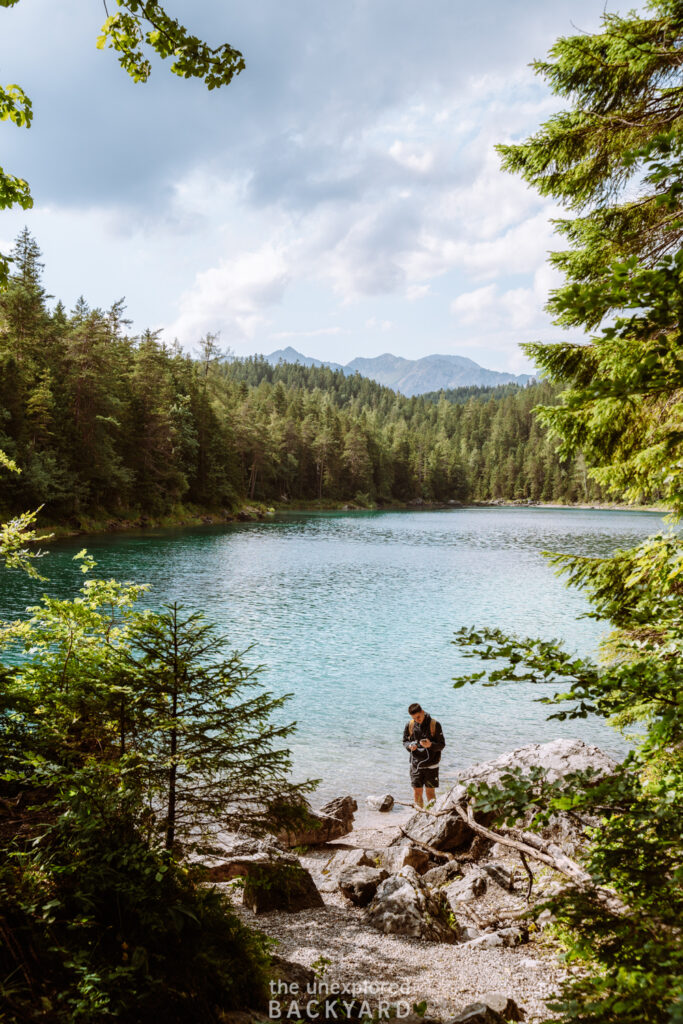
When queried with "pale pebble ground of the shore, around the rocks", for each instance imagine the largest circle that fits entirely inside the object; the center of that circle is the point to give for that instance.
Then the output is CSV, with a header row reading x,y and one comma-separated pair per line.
x,y
394,967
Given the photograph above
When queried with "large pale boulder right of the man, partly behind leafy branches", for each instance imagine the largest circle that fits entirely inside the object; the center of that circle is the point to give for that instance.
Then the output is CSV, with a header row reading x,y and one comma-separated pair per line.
x,y
558,758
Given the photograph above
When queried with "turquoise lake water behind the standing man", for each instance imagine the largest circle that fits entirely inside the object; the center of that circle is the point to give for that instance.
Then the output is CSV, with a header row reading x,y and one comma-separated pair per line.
x,y
355,613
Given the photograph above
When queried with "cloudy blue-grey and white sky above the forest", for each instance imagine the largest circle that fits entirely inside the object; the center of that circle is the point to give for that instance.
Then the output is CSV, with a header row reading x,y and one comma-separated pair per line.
x,y
343,196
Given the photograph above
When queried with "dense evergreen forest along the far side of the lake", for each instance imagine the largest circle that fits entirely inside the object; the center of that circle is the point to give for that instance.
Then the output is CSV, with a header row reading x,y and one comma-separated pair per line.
x,y
104,423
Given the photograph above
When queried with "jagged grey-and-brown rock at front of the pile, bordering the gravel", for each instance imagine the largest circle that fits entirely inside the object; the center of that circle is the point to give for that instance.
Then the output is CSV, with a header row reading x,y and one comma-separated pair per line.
x,y
405,906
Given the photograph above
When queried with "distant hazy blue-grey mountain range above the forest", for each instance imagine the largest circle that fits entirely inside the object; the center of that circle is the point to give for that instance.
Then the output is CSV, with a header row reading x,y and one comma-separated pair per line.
x,y
432,373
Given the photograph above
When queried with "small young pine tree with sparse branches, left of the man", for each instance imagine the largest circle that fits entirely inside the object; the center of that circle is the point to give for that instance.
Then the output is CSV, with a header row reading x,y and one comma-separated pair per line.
x,y
207,733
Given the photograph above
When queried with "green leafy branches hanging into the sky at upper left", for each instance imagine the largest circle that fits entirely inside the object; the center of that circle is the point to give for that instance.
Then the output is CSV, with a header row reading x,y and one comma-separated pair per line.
x,y
138,30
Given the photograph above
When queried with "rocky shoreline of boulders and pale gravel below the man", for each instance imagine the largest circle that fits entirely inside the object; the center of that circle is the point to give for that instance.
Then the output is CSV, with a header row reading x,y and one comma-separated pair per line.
x,y
416,916
